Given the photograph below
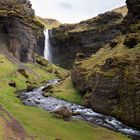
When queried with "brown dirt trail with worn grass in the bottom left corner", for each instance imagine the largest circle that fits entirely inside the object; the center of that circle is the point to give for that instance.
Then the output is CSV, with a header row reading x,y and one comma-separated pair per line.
x,y
10,128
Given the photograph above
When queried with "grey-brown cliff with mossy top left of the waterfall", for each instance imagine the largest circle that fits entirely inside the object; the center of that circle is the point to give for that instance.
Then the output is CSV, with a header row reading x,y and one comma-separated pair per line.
x,y
20,33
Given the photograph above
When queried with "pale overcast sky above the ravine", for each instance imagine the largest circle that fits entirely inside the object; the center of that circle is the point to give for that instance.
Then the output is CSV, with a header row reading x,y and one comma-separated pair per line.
x,y
71,11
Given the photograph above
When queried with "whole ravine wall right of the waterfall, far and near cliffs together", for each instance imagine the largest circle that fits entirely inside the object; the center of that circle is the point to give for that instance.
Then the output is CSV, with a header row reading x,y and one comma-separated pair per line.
x,y
105,51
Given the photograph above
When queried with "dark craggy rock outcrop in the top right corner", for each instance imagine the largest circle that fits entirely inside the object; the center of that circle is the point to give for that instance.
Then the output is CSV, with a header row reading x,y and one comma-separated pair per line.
x,y
131,24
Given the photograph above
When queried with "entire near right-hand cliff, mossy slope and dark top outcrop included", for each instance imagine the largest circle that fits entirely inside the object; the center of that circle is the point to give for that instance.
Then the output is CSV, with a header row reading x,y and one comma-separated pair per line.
x,y
110,79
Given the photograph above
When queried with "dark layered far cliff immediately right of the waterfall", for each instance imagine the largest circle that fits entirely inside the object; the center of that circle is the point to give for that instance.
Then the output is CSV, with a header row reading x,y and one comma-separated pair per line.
x,y
87,37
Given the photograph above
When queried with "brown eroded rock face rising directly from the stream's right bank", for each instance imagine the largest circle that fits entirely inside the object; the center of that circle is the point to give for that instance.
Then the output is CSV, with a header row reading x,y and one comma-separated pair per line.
x,y
111,88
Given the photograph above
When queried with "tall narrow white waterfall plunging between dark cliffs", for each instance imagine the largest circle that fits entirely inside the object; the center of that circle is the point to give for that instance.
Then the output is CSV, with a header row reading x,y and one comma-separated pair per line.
x,y
47,54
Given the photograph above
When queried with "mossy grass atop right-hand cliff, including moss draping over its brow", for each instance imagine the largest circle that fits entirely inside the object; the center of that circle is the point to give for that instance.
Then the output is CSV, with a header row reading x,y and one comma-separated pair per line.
x,y
120,53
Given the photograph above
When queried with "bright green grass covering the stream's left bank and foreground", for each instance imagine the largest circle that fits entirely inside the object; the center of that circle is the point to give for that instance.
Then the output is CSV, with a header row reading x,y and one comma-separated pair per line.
x,y
41,124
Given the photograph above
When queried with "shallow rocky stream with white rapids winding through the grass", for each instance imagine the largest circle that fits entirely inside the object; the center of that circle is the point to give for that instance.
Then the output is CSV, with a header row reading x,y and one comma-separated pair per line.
x,y
35,98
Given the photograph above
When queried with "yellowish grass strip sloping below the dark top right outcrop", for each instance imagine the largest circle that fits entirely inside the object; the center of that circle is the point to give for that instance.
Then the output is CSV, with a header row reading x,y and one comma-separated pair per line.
x,y
120,51
